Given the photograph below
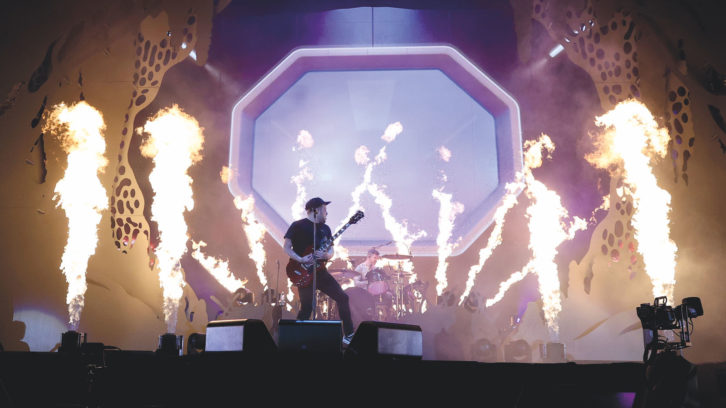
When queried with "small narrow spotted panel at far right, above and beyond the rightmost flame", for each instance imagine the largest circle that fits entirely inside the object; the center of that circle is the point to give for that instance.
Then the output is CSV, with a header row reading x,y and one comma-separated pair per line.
x,y
680,126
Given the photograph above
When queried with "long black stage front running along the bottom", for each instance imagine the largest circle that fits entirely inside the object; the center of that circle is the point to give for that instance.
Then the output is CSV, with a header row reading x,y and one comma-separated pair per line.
x,y
141,378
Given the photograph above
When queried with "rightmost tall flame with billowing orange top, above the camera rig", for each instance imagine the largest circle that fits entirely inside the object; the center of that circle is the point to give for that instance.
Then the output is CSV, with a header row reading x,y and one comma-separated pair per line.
x,y
629,141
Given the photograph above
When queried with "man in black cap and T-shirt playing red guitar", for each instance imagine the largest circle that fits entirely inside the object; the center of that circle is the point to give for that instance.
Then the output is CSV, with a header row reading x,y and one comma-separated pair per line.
x,y
299,246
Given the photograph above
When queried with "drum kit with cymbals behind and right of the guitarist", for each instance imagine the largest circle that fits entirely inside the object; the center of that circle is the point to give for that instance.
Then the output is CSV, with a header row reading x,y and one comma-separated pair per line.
x,y
384,294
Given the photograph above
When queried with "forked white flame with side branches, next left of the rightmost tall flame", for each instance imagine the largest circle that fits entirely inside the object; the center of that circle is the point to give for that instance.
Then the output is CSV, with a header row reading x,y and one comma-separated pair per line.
x,y
548,230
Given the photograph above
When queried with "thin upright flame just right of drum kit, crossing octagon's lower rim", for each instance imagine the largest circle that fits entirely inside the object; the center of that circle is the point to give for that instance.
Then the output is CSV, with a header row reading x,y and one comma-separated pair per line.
x,y
448,210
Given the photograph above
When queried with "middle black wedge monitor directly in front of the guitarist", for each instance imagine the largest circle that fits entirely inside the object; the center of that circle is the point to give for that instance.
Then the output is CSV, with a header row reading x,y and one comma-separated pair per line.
x,y
316,336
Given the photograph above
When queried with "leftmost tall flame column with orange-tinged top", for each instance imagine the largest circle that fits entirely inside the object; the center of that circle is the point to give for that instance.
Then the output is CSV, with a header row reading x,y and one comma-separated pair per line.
x,y
79,193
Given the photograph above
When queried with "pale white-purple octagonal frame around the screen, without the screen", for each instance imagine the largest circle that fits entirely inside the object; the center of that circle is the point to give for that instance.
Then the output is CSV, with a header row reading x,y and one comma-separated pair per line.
x,y
478,85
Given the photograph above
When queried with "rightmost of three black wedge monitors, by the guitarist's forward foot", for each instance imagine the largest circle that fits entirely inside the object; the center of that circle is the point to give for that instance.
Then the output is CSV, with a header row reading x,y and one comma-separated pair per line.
x,y
386,340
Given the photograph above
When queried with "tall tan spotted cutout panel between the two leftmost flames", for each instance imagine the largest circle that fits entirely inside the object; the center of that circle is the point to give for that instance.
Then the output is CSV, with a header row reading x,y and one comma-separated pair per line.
x,y
154,55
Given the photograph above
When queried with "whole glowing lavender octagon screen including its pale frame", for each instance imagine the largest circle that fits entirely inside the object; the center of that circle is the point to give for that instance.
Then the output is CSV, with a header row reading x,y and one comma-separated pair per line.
x,y
316,126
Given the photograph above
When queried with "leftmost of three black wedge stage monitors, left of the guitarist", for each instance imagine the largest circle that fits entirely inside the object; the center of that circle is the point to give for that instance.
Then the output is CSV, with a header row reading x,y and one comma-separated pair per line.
x,y
238,335
